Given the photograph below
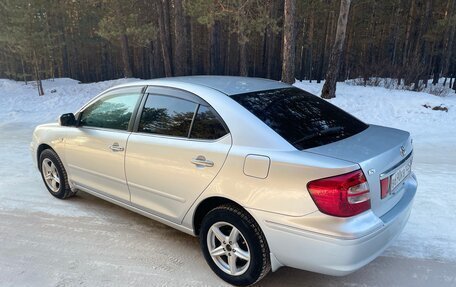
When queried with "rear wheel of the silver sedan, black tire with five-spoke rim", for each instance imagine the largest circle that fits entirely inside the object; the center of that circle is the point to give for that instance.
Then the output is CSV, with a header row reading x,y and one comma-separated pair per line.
x,y
250,243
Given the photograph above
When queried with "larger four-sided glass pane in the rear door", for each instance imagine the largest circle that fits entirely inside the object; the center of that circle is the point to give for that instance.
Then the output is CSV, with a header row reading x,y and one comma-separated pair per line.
x,y
165,115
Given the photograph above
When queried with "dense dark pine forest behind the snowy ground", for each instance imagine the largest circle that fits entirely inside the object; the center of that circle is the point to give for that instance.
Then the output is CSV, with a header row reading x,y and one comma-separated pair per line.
x,y
410,41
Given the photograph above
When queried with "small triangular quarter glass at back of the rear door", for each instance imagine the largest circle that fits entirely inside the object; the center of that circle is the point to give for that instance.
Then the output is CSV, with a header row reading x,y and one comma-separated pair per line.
x,y
207,125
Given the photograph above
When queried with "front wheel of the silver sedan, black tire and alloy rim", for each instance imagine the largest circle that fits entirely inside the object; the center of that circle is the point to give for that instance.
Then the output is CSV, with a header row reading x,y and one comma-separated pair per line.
x,y
54,175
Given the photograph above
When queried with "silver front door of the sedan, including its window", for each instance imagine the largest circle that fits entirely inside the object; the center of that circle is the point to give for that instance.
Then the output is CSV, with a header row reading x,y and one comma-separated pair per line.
x,y
95,149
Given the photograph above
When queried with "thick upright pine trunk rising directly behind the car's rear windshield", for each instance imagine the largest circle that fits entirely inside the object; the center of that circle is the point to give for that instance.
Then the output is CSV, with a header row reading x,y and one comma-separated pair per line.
x,y
289,42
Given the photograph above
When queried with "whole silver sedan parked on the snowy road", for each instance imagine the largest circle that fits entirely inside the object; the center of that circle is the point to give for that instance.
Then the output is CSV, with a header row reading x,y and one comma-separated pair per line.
x,y
265,174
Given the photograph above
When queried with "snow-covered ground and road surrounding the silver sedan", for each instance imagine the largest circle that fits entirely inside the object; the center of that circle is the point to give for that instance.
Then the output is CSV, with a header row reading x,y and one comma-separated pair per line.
x,y
28,214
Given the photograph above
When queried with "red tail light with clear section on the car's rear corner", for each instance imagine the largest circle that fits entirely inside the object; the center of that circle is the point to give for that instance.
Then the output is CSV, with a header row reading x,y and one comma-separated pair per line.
x,y
343,195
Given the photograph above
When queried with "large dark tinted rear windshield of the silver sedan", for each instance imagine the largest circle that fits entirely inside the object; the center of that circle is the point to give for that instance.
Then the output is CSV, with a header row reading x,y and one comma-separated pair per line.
x,y
302,119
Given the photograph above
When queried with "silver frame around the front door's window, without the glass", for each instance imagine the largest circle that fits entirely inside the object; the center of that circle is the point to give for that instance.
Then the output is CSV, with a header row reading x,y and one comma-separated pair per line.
x,y
133,89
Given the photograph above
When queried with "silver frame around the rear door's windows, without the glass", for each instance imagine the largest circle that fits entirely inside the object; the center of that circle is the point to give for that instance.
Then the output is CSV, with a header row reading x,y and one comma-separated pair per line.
x,y
179,94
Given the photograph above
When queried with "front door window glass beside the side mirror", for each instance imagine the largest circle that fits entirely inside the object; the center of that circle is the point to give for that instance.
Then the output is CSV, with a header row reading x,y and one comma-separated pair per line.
x,y
111,112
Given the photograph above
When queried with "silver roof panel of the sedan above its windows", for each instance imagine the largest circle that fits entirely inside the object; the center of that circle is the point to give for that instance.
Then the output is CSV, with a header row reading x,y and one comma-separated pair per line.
x,y
229,85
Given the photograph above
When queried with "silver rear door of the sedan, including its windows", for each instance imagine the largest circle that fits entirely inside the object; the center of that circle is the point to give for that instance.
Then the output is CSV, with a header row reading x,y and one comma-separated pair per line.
x,y
180,145
